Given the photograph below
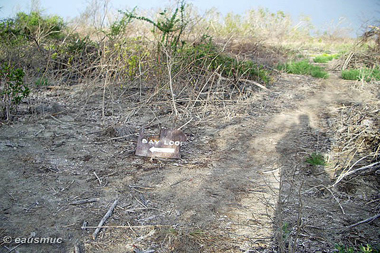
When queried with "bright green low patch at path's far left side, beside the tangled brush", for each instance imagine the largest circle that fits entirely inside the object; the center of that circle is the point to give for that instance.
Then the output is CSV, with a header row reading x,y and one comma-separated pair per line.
x,y
303,68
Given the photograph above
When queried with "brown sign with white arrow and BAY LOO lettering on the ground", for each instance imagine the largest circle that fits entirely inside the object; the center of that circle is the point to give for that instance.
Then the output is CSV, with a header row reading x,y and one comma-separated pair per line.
x,y
166,145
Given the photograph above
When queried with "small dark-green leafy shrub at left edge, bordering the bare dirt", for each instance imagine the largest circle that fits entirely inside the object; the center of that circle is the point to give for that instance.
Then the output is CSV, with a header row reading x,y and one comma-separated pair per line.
x,y
12,88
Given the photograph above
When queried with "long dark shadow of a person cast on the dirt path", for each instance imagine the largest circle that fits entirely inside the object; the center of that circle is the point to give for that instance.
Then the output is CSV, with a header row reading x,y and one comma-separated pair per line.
x,y
302,203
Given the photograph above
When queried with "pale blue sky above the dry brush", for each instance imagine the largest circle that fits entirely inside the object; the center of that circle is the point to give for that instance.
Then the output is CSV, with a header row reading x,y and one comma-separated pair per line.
x,y
323,13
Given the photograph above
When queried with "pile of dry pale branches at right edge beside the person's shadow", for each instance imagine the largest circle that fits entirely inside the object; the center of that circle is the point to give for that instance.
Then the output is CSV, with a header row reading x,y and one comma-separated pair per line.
x,y
358,149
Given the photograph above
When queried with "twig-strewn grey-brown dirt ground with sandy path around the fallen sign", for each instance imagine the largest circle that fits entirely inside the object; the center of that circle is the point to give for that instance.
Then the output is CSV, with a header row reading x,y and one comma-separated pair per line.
x,y
242,184
